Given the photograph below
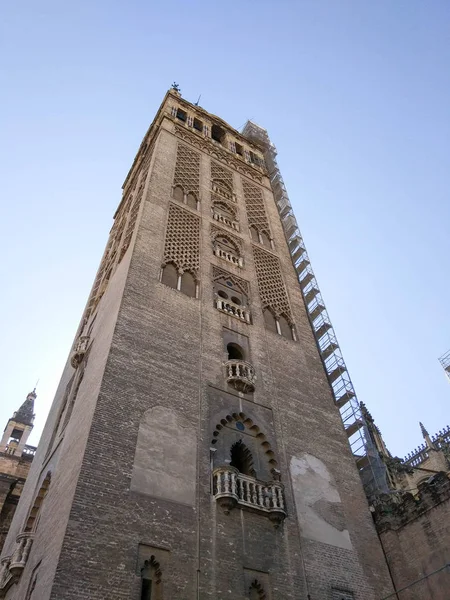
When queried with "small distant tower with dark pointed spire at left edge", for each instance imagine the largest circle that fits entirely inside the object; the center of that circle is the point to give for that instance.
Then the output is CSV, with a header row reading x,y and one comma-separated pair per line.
x,y
15,461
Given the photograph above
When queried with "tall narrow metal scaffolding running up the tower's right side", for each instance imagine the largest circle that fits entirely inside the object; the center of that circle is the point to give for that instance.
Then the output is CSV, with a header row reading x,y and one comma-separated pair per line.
x,y
371,467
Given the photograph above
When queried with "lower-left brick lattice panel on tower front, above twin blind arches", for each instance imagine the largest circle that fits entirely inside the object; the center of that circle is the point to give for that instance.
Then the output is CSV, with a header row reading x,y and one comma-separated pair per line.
x,y
182,246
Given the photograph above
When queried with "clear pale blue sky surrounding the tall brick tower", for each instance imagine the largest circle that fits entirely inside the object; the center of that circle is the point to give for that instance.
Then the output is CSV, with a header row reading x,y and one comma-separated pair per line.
x,y
356,97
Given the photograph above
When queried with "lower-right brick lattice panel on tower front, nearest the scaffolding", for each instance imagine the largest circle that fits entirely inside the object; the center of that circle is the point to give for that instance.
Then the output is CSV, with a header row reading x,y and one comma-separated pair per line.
x,y
270,283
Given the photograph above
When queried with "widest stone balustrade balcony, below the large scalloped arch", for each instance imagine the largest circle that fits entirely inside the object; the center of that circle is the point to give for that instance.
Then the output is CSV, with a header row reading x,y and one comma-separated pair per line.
x,y
231,488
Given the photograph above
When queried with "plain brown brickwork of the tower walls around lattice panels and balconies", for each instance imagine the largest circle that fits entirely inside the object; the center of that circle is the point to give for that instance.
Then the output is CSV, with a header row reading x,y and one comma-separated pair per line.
x,y
158,353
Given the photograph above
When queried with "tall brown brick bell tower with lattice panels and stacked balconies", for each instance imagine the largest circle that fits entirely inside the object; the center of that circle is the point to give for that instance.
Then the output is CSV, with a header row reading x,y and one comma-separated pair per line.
x,y
194,449
